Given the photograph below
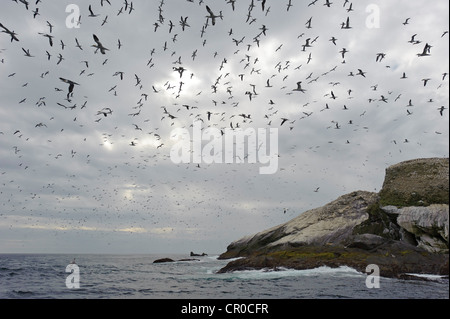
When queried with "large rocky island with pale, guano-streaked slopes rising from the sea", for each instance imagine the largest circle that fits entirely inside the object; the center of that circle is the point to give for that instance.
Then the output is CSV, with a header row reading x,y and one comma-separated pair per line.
x,y
403,229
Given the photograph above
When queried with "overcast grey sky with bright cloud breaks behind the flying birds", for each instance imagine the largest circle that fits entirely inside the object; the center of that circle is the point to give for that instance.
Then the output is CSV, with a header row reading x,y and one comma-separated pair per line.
x,y
76,181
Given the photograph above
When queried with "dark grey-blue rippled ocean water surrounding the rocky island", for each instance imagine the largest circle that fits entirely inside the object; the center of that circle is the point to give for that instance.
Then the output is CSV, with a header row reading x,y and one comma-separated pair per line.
x,y
137,277
